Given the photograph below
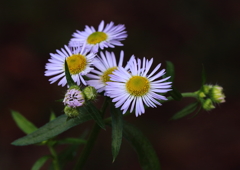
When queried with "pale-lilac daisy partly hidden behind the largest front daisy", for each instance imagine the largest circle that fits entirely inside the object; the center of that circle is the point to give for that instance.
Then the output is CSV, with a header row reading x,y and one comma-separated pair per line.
x,y
105,65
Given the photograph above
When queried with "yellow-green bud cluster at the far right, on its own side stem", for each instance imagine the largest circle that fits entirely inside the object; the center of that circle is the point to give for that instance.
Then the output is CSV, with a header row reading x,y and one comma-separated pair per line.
x,y
210,95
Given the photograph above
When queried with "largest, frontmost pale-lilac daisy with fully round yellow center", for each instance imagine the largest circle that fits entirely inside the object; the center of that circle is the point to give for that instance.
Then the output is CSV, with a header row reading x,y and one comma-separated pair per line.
x,y
134,88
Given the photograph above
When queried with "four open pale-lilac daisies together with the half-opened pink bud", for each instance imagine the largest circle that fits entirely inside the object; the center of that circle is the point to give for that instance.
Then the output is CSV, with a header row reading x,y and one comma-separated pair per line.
x,y
132,86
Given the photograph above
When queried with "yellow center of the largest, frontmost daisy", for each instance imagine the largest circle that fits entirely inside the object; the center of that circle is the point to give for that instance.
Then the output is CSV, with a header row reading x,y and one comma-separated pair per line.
x,y
138,86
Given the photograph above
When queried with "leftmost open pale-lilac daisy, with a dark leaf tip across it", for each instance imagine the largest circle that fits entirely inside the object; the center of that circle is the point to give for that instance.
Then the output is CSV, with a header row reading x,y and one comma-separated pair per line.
x,y
79,63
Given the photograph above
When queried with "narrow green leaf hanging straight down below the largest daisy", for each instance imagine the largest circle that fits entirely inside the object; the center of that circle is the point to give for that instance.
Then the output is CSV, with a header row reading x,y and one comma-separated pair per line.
x,y
117,129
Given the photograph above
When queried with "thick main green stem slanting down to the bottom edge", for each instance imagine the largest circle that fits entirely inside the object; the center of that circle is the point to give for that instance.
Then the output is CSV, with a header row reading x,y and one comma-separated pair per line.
x,y
90,142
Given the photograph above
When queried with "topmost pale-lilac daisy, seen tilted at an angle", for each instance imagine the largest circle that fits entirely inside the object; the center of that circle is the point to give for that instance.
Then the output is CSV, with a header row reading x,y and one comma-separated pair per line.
x,y
109,36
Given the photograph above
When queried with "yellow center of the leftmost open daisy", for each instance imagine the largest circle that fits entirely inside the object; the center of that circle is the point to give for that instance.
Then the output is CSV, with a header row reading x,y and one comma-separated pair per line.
x,y
76,63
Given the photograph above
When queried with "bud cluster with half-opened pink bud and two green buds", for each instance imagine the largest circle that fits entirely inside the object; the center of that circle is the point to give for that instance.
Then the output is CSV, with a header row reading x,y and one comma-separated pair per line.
x,y
75,98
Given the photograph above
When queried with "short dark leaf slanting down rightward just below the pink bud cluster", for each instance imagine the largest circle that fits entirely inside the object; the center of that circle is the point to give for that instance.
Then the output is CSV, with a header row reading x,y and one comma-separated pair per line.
x,y
96,115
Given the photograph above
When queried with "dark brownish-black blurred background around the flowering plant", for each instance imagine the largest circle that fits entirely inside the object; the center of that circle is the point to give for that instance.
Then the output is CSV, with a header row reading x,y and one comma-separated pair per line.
x,y
190,33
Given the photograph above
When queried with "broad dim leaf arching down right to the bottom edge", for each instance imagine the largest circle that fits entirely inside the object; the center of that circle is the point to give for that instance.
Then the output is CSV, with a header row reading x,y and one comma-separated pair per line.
x,y
146,153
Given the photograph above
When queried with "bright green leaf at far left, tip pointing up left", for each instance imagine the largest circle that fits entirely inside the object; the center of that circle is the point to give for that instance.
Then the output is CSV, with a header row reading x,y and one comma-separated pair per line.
x,y
25,125
